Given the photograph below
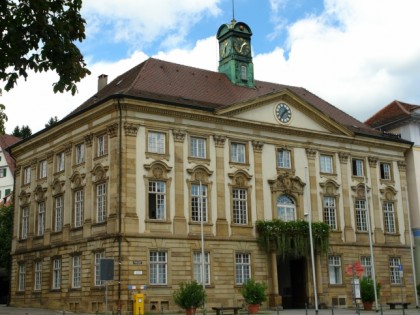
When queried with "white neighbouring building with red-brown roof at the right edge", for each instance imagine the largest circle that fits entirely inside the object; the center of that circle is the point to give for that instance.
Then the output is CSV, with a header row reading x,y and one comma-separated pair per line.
x,y
403,120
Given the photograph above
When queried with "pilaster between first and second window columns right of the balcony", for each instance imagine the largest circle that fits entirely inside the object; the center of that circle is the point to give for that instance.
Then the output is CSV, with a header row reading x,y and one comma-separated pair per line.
x,y
349,235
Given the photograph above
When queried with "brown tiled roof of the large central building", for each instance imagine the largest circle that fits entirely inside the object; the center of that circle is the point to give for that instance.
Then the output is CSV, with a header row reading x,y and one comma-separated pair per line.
x,y
186,86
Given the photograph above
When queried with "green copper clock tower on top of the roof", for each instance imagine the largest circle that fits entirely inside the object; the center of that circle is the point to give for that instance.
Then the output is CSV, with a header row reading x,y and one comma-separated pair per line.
x,y
235,53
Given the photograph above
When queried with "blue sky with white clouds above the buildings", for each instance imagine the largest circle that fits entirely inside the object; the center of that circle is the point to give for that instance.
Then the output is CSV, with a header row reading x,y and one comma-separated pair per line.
x,y
359,55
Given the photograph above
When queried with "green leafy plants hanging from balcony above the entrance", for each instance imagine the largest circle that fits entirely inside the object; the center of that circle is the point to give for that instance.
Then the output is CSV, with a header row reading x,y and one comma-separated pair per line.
x,y
292,237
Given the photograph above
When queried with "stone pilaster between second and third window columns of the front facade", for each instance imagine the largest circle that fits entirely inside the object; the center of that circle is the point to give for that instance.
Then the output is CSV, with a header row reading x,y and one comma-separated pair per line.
x,y
221,223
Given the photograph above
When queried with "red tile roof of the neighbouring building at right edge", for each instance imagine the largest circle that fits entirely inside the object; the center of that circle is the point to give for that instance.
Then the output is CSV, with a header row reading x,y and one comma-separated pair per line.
x,y
393,112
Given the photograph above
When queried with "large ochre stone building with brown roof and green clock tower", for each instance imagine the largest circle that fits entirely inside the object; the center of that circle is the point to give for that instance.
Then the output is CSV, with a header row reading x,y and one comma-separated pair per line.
x,y
131,173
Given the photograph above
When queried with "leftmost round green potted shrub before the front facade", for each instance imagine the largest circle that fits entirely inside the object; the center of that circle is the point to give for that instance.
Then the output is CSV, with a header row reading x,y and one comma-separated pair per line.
x,y
190,296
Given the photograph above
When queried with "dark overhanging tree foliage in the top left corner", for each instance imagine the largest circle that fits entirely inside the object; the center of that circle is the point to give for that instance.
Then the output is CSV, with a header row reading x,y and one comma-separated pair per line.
x,y
39,35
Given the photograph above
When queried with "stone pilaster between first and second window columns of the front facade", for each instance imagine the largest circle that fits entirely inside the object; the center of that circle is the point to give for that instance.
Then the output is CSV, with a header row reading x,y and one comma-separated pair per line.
x,y
180,223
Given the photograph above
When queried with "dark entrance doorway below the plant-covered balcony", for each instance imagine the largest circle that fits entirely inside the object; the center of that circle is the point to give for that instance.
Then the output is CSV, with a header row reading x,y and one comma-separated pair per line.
x,y
292,281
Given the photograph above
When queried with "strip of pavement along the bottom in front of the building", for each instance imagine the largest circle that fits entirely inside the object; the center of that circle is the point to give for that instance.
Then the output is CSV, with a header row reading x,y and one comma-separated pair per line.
x,y
5,310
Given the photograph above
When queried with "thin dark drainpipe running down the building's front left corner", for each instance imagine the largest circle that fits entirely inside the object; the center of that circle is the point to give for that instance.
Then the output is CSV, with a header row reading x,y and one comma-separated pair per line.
x,y
119,203
